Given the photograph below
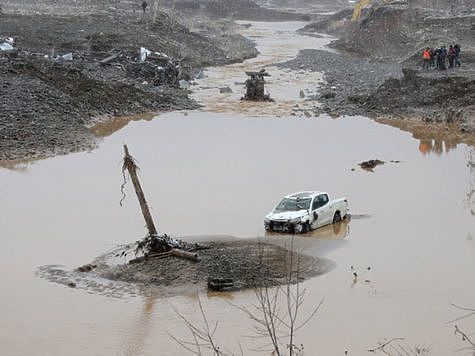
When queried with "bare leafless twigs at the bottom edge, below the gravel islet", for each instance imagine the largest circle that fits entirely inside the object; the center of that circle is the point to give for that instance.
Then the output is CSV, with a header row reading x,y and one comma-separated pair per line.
x,y
276,317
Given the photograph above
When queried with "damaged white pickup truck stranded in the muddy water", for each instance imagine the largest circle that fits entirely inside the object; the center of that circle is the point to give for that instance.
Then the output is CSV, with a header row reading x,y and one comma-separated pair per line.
x,y
301,212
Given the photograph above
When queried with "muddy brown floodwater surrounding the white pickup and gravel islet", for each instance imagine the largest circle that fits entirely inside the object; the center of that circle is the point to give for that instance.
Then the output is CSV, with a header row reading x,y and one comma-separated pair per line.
x,y
217,172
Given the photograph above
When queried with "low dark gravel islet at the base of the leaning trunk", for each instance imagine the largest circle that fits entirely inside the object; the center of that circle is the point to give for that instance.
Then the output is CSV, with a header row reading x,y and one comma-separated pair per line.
x,y
247,263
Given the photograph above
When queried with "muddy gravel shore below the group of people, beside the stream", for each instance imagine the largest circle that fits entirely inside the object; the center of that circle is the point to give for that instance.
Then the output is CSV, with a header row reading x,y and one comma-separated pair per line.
x,y
387,90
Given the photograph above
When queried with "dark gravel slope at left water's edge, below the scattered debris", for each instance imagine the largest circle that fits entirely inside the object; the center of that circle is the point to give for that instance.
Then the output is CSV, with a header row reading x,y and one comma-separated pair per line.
x,y
46,107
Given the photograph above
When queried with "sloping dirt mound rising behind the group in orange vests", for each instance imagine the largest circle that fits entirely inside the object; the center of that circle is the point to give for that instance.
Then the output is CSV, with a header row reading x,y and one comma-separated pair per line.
x,y
396,32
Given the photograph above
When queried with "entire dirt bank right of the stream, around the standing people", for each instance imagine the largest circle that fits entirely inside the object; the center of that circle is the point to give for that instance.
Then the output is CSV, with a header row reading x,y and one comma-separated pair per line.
x,y
390,35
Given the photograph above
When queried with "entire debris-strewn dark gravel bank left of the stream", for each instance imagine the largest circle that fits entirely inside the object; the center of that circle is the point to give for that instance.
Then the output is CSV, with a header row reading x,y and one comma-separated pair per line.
x,y
47,105
